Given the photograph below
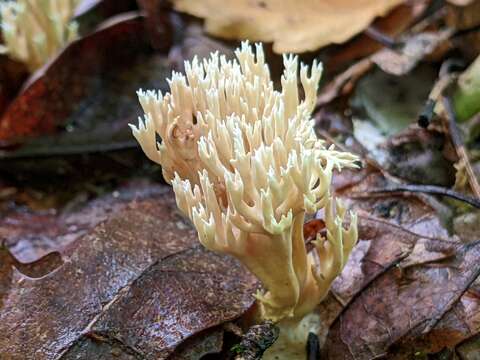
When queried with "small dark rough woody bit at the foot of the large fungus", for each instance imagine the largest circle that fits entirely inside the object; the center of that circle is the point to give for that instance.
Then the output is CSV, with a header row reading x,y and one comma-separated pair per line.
x,y
256,340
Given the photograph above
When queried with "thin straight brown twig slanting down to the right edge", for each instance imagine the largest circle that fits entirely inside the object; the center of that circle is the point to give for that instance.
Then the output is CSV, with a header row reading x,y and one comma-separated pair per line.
x,y
459,146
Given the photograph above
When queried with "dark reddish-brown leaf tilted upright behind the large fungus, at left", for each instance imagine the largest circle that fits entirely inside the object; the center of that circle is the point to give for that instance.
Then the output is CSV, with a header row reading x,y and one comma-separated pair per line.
x,y
89,89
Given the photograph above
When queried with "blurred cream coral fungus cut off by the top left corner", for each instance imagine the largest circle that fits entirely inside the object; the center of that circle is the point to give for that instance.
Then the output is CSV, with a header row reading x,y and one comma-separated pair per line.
x,y
35,30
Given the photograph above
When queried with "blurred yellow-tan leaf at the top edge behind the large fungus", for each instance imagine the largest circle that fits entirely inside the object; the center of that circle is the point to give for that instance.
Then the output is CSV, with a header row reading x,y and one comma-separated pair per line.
x,y
292,25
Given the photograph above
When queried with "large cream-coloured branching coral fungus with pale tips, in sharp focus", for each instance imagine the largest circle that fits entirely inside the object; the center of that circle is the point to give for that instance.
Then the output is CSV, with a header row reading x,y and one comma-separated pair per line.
x,y
246,166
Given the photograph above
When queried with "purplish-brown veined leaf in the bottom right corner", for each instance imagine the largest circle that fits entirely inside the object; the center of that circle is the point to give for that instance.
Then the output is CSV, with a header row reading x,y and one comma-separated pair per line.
x,y
402,306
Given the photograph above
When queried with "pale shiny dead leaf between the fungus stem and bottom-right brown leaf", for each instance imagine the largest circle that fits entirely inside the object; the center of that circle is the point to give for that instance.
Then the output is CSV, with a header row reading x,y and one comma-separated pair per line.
x,y
382,246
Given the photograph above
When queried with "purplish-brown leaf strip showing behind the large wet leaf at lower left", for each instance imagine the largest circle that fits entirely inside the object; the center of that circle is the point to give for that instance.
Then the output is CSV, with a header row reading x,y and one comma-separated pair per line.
x,y
31,233
